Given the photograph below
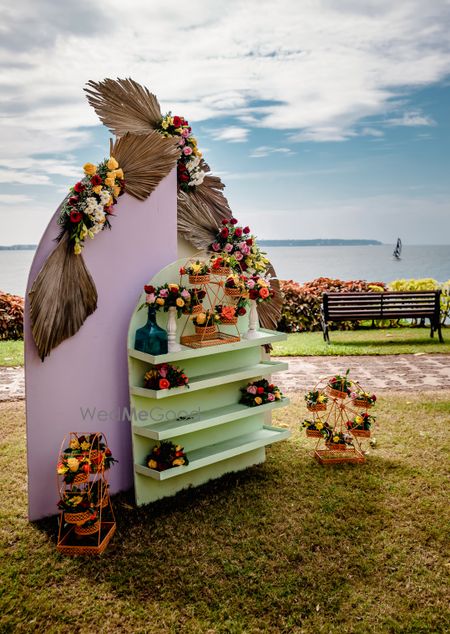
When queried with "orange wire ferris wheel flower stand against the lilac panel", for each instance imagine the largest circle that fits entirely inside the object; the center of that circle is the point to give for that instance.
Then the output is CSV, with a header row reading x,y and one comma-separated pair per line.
x,y
76,534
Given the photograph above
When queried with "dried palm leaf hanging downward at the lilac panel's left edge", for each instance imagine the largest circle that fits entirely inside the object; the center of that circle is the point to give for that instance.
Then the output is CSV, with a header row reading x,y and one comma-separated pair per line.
x,y
63,295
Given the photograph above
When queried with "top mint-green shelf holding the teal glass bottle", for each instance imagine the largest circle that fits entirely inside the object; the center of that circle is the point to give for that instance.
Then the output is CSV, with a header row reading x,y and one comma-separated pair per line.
x,y
264,337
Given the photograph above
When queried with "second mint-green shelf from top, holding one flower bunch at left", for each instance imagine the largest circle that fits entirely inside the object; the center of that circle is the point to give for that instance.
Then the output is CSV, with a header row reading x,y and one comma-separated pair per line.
x,y
213,379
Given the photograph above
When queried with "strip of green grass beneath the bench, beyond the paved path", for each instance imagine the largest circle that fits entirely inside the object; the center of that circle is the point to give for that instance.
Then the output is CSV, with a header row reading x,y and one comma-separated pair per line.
x,y
357,342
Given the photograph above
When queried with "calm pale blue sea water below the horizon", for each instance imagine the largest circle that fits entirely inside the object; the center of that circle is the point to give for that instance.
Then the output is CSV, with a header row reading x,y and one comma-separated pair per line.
x,y
302,264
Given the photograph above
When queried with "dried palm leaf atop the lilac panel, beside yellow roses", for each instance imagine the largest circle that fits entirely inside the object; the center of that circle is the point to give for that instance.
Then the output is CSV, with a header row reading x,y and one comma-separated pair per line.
x,y
145,160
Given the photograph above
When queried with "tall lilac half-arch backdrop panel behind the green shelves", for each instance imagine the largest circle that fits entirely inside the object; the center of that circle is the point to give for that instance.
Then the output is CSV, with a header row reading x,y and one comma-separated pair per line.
x,y
90,369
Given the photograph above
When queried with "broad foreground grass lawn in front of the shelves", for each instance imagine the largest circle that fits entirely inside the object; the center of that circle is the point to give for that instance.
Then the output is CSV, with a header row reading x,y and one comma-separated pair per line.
x,y
288,546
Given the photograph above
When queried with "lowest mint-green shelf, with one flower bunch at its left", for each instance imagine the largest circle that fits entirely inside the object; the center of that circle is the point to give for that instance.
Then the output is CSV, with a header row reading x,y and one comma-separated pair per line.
x,y
221,451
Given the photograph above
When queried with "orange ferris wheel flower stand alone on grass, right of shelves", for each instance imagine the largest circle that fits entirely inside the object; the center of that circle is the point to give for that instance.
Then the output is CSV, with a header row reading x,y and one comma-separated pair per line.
x,y
340,420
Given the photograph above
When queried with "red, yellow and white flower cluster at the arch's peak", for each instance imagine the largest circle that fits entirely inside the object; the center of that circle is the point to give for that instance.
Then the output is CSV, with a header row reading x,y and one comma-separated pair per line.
x,y
189,170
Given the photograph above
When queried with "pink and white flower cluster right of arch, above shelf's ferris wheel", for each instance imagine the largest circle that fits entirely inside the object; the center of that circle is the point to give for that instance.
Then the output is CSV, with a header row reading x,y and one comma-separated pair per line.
x,y
240,247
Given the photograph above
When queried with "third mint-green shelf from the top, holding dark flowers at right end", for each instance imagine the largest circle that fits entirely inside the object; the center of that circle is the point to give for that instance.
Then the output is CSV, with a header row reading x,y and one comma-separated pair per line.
x,y
210,418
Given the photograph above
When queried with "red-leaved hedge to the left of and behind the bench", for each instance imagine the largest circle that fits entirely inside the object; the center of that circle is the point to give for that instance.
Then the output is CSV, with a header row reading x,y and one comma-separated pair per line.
x,y
301,308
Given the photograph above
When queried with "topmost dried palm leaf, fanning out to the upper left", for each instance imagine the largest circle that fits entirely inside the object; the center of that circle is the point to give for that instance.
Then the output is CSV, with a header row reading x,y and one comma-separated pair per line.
x,y
124,106
